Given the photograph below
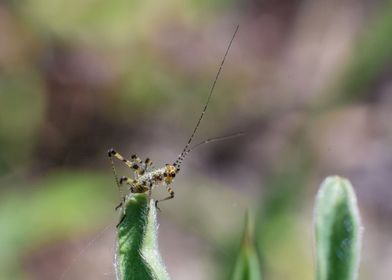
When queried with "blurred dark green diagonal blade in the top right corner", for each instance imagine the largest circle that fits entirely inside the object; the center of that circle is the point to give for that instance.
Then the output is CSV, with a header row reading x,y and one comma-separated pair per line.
x,y
369,58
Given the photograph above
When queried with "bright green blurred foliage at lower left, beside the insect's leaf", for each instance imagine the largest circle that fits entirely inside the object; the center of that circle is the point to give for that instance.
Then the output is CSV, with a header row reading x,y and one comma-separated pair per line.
x,y
33,213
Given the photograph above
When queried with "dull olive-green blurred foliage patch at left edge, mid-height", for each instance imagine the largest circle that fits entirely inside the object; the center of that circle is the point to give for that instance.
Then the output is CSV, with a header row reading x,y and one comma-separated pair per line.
x,y
22,104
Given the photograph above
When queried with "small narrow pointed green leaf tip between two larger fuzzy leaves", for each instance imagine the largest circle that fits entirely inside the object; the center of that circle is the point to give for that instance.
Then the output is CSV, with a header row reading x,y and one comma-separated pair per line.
x,y
247,266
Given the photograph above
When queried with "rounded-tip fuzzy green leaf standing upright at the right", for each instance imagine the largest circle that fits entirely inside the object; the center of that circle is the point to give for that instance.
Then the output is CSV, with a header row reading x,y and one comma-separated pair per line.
x,y
338,230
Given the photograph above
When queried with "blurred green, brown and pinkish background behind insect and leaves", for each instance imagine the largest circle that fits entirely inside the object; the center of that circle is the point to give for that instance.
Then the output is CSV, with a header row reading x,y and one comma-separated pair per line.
x,y
308,81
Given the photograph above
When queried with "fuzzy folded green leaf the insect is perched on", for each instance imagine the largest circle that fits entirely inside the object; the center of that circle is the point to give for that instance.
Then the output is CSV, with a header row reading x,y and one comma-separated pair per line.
x,y
138,257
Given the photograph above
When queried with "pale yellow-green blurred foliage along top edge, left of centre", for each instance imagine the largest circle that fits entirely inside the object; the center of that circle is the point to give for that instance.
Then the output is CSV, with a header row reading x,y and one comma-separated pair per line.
x,y
117,21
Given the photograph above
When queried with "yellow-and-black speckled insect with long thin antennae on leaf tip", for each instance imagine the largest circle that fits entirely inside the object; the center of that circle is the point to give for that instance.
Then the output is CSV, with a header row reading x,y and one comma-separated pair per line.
x,y
145,177
